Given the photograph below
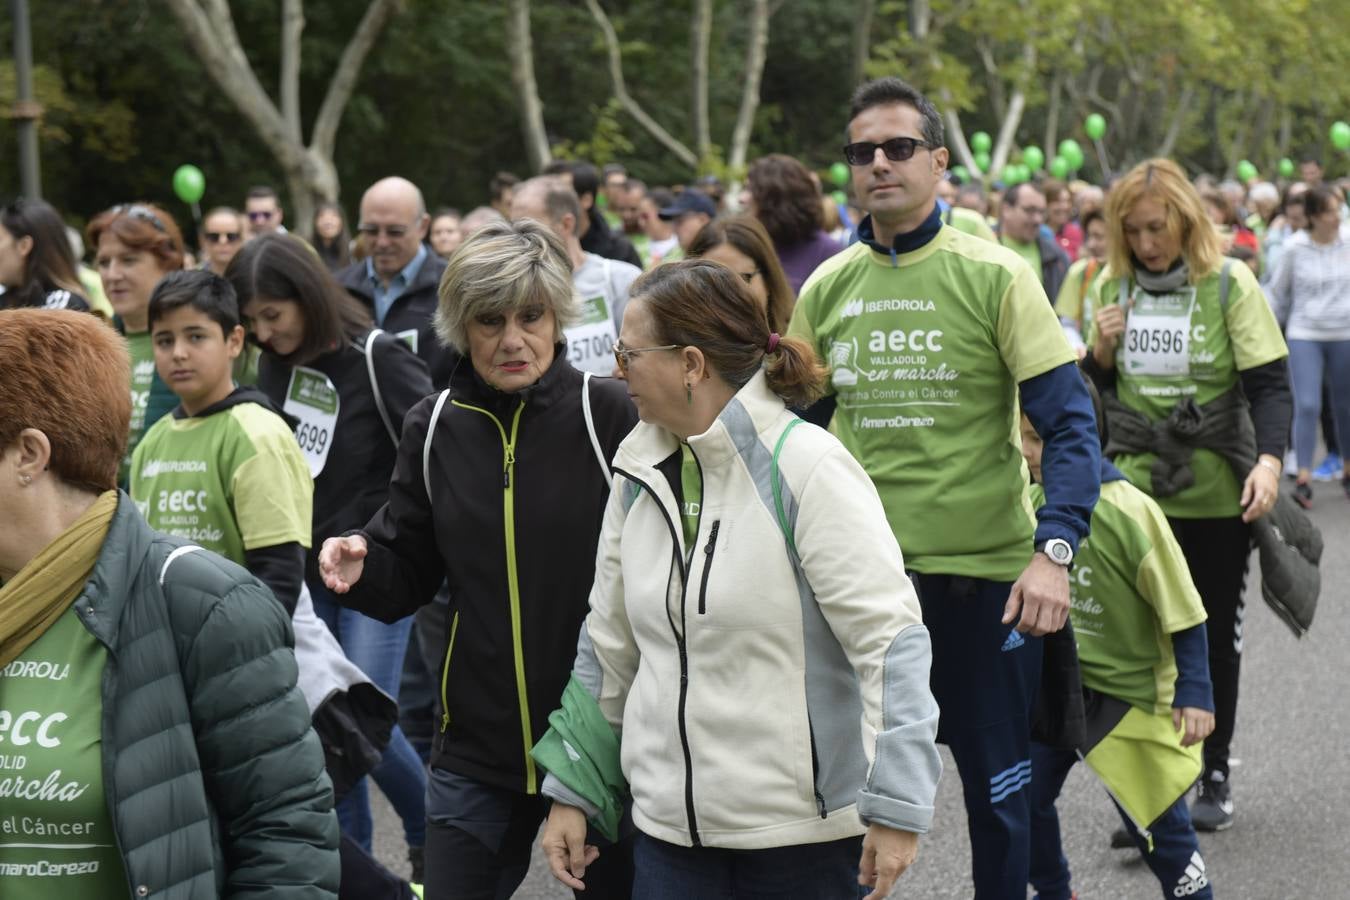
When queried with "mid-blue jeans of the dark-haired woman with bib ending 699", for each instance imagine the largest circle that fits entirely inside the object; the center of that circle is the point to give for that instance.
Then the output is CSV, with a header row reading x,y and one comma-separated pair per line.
x,y
379,651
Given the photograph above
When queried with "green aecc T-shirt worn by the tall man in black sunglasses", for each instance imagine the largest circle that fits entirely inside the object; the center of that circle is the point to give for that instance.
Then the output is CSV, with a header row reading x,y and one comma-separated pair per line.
x,y
927,358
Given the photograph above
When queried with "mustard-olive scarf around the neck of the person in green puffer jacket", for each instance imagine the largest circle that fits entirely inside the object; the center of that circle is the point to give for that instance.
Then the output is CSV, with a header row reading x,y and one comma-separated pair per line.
x,y
52,581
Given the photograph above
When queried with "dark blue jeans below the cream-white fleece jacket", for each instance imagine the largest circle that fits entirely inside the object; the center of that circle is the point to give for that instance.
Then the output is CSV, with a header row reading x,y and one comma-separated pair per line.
x,y
669,872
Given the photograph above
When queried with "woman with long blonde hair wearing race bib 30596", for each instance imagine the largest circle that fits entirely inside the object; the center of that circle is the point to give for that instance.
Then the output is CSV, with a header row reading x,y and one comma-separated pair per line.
x,y
1183,337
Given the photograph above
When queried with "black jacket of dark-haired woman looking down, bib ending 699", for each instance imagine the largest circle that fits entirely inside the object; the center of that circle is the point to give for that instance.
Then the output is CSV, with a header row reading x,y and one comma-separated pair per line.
x,y
356,480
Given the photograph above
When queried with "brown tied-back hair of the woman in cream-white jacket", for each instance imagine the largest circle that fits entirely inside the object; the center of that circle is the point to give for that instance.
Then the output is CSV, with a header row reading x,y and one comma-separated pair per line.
x,y
697,303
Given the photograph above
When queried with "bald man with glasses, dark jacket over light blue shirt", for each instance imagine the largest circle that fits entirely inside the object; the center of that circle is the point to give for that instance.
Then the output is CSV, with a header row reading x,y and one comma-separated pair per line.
x,y
399,277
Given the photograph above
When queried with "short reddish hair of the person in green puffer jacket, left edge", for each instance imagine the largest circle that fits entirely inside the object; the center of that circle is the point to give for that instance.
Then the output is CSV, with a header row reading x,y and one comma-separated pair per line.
x,y
68,376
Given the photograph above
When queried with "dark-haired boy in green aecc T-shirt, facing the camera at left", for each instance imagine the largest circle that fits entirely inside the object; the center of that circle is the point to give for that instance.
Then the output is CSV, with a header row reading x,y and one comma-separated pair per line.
x,y
223,470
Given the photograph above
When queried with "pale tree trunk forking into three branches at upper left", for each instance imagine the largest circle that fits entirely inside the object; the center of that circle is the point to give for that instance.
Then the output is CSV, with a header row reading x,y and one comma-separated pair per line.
x,y
310,171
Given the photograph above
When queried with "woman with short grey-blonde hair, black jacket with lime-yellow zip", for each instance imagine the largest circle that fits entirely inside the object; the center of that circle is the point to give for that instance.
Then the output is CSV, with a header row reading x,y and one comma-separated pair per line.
x,y
499,489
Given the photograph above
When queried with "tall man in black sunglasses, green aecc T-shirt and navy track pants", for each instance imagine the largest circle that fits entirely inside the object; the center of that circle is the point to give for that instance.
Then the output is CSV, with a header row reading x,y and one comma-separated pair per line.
x,y
935,339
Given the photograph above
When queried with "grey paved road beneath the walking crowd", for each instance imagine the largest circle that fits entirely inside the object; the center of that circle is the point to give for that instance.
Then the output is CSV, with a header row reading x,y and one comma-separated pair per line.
x,y
1293,786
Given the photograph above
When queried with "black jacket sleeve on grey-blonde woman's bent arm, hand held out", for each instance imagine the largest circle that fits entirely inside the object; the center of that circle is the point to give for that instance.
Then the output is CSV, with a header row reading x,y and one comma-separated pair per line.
x,y
403,566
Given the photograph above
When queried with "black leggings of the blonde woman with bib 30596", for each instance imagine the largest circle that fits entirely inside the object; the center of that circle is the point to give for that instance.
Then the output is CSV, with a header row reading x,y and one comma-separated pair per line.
x,y
1217,551
